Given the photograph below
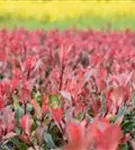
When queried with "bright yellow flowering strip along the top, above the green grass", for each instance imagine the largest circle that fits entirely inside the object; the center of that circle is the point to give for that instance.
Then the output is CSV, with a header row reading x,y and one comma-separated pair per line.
x,y
61,10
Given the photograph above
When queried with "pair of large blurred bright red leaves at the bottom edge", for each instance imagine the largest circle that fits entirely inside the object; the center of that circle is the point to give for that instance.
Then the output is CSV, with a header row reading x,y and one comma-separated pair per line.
x,y
100,135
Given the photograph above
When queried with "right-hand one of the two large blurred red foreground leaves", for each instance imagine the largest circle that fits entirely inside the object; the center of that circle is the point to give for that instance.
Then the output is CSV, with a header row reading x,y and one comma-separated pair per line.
x,y
102,128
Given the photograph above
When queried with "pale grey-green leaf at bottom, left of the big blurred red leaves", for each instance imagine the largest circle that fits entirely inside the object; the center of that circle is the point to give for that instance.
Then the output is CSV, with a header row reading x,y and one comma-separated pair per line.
x,y
49,141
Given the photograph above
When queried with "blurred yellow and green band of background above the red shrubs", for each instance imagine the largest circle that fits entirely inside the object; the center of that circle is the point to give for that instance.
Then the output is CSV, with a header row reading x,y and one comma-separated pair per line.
x,y
62,14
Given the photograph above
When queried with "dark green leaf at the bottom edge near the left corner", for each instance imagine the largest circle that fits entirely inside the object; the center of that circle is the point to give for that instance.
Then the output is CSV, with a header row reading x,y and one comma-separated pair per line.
x,y
18,144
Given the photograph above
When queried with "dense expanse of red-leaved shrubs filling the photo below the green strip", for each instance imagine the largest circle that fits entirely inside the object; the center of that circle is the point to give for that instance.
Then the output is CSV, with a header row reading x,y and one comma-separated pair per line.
x,y
70,90
